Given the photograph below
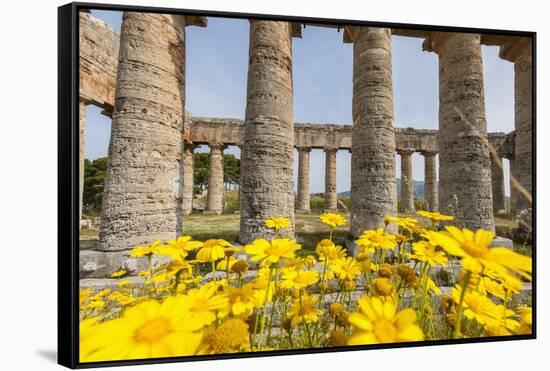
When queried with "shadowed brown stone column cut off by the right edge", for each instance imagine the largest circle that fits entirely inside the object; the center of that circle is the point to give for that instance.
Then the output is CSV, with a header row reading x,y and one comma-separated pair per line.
x,y
520,52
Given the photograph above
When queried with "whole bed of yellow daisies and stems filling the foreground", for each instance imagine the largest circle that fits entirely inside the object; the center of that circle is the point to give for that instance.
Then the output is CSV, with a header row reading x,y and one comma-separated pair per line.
x,y
384,293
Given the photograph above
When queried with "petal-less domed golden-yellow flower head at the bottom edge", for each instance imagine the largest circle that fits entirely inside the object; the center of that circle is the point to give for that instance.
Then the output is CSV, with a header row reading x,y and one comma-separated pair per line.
x,y
230,337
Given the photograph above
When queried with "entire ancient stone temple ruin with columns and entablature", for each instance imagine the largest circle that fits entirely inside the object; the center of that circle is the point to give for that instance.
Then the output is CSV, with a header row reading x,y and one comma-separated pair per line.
x,y
137,78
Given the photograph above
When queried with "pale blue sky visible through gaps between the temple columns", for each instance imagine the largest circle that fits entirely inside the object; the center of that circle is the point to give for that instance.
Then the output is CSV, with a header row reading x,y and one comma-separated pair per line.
x,y
216,69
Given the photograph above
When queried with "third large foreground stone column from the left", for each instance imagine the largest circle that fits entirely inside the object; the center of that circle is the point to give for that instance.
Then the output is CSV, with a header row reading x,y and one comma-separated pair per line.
x,y
373,183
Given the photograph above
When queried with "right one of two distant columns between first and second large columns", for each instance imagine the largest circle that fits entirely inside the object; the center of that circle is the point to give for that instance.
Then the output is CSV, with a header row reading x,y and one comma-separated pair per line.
x,y
214,200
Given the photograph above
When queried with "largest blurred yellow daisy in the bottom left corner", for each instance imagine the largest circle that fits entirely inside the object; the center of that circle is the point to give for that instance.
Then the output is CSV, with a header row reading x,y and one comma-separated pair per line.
x,y
147,330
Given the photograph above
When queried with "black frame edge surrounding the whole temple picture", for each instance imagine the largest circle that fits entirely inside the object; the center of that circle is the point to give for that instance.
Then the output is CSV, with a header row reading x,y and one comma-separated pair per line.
x,y
68,175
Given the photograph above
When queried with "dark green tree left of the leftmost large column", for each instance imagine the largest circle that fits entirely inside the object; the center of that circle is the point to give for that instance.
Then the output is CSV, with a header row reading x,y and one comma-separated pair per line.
x,y
94,177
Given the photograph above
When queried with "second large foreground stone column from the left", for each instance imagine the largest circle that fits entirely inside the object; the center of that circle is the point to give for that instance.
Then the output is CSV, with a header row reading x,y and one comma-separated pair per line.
x,y
267,189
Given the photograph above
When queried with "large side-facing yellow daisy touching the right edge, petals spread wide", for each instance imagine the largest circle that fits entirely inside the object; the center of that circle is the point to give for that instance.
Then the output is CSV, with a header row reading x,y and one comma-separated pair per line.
x,y
476,254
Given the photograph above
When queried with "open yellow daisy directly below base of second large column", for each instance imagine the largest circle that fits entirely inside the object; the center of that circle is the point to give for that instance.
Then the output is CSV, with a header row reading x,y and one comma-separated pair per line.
x,y
271,252
